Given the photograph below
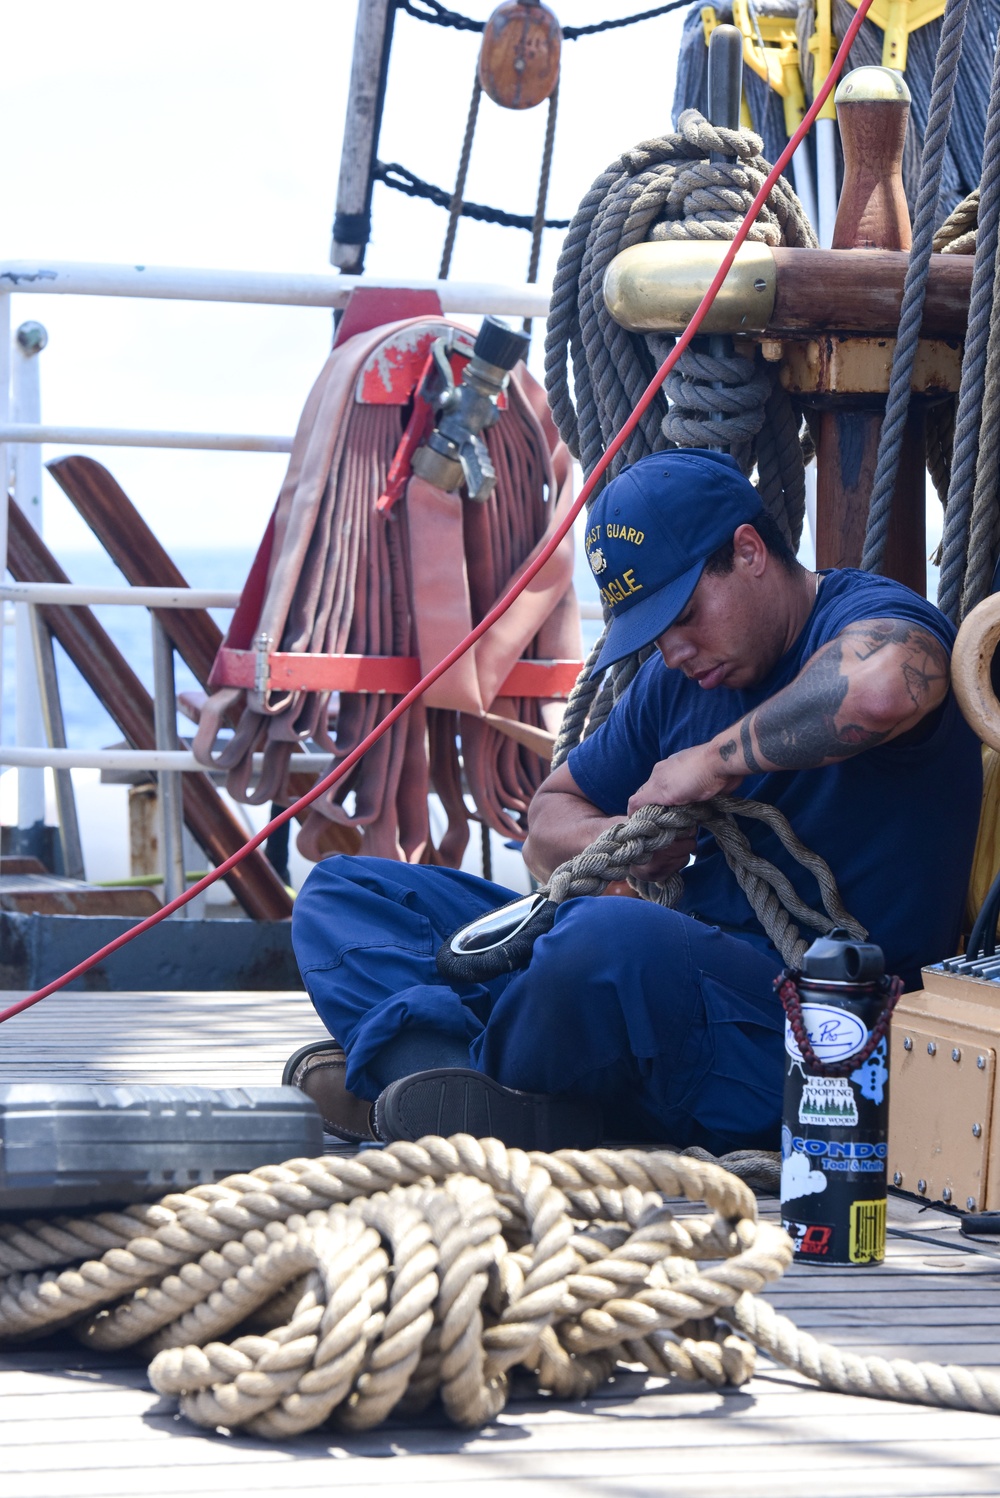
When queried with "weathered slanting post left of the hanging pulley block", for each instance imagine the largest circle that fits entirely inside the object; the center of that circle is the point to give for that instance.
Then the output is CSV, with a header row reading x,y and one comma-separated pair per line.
x,y
353,222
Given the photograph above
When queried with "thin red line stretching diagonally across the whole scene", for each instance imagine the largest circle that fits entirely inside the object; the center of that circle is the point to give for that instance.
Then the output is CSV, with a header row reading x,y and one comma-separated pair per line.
x,y
499,609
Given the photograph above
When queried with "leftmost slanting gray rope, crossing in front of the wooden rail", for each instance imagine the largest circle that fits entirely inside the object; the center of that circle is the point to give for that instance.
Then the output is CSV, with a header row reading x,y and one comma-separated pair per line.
x,y
915,285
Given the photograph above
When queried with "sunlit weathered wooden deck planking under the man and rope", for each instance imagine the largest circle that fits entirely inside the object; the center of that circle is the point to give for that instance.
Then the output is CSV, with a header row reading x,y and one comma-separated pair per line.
x,y
74,1421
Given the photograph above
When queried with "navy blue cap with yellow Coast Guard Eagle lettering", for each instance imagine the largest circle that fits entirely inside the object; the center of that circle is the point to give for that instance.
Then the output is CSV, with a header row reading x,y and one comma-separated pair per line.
x,y
650,534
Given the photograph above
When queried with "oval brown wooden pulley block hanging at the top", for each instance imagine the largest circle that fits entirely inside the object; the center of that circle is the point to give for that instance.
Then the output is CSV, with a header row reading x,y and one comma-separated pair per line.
x,y
519,61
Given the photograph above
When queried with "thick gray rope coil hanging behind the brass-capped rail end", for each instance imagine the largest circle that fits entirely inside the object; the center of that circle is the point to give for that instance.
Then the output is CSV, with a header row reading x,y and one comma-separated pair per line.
x,y
668,188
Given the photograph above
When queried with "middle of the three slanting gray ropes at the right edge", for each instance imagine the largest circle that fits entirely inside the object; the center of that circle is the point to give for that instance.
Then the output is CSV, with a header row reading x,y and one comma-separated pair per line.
x,y
969,417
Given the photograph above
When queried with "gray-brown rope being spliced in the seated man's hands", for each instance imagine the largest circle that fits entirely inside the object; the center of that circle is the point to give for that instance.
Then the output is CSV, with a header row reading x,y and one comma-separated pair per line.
x,y
773,898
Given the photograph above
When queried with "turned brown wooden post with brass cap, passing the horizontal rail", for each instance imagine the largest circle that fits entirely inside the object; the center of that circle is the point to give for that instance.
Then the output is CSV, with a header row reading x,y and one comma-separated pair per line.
x,y
874,107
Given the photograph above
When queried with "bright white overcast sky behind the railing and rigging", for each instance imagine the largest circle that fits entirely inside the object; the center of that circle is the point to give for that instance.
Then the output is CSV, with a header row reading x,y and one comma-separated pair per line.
x,y
209,136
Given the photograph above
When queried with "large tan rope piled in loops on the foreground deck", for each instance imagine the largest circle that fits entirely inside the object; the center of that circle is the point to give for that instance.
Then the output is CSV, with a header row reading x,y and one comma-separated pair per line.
x,y
368,1286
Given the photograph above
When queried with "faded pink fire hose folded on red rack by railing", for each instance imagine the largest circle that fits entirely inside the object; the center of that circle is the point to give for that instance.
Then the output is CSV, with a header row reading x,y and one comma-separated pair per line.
x,y
353,571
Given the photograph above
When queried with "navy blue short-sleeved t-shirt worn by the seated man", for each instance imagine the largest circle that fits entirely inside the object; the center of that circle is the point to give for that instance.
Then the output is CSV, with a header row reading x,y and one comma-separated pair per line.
x,y
897,825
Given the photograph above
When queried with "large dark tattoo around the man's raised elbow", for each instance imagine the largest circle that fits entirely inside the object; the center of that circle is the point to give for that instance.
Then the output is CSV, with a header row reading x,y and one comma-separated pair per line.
x,y
802,726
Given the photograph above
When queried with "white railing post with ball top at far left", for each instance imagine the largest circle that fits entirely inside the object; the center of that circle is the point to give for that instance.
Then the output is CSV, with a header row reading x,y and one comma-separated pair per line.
x,y
28,494
